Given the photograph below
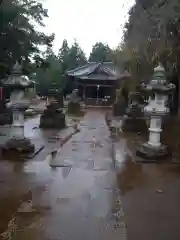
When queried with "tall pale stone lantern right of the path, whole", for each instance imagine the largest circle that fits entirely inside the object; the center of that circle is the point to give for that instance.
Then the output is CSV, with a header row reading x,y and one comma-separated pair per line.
x,y
158,89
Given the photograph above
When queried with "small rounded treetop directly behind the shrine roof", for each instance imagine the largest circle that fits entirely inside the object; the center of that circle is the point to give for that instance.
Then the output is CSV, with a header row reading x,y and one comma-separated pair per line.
x,y
100,53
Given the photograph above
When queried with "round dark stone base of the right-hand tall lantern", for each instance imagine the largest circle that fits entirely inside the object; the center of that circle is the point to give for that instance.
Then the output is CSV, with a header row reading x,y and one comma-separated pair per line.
x,y
153,154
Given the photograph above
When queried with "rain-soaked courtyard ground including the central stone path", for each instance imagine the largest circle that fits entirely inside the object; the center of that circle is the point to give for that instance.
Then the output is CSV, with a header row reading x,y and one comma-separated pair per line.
x,y
85,198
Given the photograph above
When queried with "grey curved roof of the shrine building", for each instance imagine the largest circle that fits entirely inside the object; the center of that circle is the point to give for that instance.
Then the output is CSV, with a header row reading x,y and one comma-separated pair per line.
x,y
104,71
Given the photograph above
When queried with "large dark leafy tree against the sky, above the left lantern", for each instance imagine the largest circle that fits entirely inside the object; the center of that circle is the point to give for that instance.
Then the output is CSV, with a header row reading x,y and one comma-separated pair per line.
x,y
19,38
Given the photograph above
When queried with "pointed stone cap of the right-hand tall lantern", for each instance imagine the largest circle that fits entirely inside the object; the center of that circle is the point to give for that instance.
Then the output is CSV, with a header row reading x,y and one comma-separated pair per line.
x,y
158,82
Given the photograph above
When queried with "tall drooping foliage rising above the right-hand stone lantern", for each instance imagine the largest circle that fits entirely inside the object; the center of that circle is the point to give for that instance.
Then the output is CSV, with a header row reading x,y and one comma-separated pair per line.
x,y
153,32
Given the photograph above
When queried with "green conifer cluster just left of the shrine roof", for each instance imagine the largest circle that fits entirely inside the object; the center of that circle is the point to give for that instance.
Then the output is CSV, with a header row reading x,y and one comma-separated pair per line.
x,y
52,70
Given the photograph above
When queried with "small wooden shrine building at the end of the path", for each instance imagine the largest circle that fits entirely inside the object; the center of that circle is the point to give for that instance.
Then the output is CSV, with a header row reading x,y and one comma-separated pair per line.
x,y
97,82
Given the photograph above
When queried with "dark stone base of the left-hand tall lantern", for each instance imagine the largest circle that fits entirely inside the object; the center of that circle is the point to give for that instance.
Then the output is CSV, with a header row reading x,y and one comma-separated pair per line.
x,y
22,145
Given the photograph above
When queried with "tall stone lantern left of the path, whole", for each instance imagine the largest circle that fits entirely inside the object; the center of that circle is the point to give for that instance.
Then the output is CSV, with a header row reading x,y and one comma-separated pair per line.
x,y
19,102
